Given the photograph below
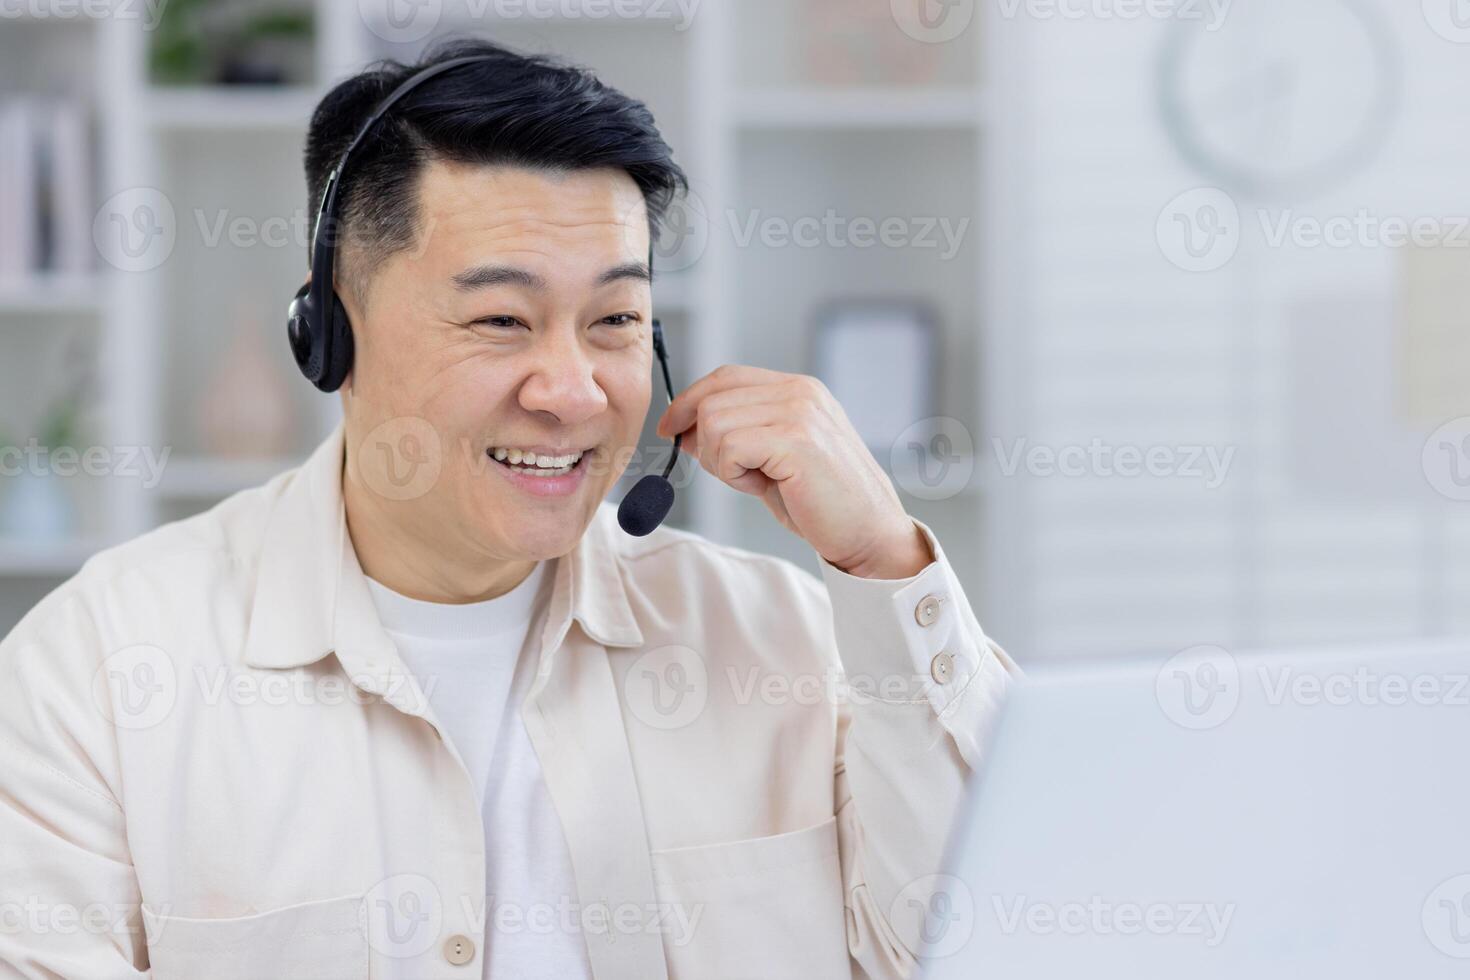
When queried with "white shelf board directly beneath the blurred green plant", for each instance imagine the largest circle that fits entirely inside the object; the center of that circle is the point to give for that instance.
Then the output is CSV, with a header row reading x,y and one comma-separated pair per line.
x,y
226,108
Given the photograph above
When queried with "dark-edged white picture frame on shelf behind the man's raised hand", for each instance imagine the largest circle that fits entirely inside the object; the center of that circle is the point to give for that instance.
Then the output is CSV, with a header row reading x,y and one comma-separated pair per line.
x,y
878,359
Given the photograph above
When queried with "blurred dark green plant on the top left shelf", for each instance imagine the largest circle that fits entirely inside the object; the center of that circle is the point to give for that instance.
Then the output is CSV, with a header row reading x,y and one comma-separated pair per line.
x,y
233,43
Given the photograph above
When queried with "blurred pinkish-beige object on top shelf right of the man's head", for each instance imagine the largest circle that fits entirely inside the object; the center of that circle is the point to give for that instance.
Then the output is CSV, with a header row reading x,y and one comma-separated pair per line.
x,y
858,42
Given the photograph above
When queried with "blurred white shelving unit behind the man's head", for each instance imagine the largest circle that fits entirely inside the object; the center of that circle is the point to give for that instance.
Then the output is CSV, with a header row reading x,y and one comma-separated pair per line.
x,y
753,133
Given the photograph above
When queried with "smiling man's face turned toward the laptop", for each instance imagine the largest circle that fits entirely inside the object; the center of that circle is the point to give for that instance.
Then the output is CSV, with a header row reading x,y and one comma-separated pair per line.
x,y
518,324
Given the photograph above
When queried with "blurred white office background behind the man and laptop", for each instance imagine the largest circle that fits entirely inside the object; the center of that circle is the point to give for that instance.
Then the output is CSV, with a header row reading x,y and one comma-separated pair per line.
x,y
1155,309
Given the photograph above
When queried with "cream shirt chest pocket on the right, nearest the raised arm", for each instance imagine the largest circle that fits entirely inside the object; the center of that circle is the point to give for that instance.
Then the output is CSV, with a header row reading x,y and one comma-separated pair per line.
x,y
761,909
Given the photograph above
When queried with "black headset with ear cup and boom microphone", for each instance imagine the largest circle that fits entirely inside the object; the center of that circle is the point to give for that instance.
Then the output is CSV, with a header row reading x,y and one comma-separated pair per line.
x,y
323,337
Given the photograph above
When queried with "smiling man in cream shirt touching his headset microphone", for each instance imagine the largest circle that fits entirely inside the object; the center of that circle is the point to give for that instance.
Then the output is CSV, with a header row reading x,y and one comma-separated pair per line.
x,y
421,709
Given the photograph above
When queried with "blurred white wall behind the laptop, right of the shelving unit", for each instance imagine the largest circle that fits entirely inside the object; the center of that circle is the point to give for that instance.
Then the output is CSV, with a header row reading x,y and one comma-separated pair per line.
x,y
1294,358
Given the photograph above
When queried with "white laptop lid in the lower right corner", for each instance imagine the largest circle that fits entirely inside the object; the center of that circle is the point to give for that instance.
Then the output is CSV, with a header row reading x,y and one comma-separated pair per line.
x,y
1269,815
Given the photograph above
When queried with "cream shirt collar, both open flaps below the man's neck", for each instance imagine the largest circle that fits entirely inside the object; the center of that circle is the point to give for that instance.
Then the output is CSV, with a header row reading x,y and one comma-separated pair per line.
x,y
312,596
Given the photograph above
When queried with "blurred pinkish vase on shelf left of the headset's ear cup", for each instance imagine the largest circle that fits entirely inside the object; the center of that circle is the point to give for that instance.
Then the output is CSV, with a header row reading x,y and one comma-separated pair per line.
x,y
245,411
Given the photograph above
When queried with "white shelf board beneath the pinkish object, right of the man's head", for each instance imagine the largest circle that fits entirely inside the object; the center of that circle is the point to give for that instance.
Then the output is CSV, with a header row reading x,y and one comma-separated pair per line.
x,y
875,109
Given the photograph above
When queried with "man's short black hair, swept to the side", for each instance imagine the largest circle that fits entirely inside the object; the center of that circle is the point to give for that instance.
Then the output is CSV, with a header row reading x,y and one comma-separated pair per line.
x,y
514,109
